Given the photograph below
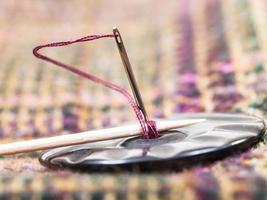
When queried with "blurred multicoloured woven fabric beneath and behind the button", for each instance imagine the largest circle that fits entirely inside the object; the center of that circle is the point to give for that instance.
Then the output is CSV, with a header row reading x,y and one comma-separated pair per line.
x,y
188,56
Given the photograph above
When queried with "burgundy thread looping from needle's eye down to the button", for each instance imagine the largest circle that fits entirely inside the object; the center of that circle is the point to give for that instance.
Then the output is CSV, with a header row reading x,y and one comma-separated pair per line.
x,y
148,127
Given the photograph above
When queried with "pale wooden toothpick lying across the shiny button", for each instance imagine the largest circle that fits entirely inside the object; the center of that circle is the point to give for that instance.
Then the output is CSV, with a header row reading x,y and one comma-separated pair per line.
x,y
89,136
